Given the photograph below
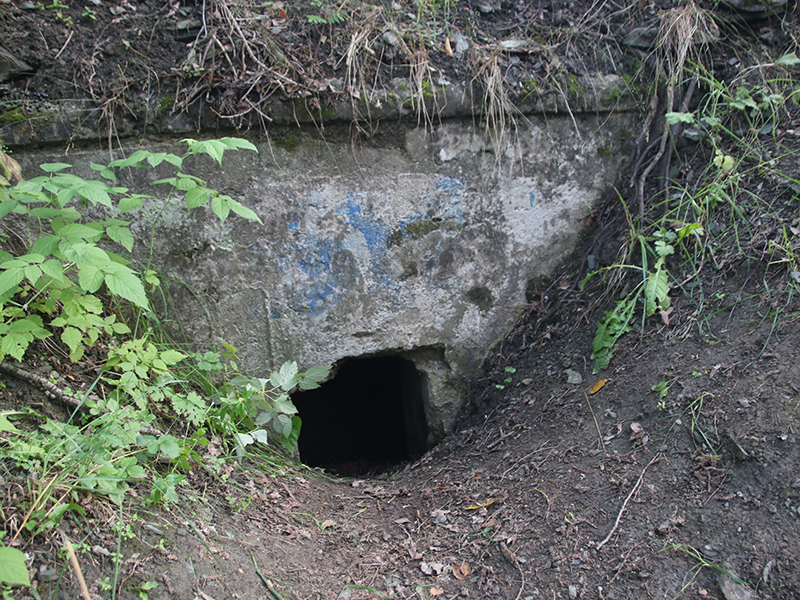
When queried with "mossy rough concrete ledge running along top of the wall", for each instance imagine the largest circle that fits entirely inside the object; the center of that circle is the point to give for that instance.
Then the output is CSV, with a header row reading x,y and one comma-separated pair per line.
x,y
86,122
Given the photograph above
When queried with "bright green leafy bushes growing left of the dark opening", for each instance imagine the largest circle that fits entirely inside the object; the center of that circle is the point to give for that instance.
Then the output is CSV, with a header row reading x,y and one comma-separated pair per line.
x,y
70,282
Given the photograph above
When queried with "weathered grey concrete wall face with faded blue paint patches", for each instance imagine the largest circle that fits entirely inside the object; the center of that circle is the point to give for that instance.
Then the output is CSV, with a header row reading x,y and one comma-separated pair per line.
x,y
422,246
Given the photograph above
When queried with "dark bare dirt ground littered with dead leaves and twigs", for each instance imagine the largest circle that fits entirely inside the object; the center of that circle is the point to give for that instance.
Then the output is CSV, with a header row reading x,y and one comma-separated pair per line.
x,y
678,478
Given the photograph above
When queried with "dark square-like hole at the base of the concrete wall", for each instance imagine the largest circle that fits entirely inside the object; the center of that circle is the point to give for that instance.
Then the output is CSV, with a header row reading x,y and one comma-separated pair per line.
x,y
369,416
